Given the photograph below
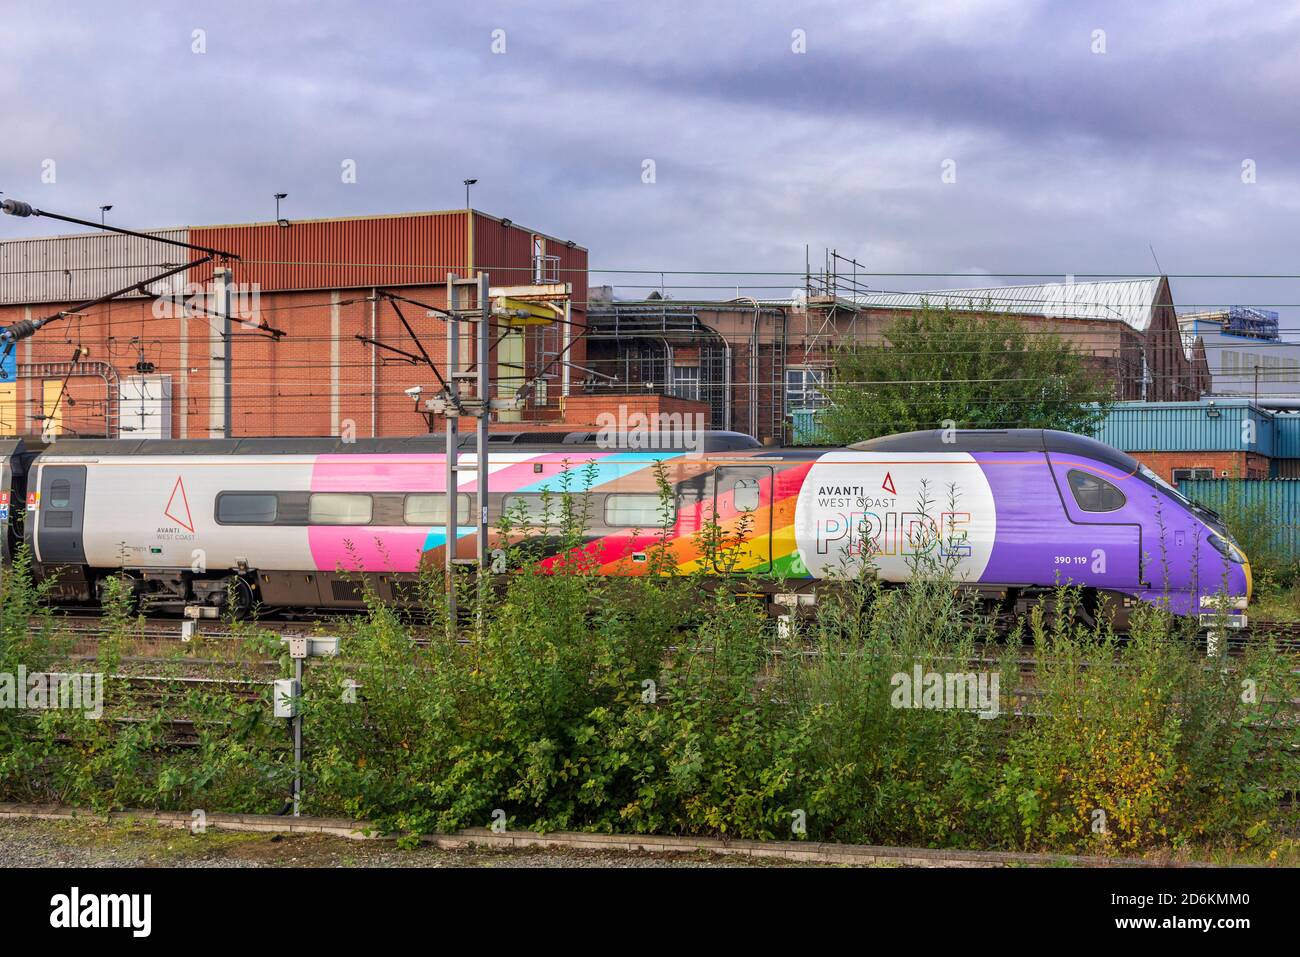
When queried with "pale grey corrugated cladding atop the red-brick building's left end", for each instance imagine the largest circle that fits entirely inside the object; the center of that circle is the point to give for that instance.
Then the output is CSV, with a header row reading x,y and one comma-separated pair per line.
x,y
75,269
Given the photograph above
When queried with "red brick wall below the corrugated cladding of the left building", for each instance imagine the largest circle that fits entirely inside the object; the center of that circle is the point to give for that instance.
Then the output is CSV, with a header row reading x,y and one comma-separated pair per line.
x,y
315,380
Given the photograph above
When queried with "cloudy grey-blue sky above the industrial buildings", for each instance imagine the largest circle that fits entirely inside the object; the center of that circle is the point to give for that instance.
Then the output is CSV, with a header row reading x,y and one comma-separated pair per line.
x,y
987,137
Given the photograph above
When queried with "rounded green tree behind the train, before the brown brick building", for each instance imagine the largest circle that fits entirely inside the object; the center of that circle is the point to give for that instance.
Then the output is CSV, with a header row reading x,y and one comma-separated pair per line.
x,y
978,370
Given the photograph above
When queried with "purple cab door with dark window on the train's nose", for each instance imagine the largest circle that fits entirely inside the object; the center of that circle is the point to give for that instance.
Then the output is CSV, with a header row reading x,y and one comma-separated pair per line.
x,y
1104,549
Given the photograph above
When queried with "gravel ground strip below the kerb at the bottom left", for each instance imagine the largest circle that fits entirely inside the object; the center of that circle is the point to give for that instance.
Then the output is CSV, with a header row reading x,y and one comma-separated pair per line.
x,y
96,845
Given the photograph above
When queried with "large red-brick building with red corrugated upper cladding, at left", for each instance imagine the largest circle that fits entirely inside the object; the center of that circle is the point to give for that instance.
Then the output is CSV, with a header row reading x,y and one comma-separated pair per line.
x,y
313,296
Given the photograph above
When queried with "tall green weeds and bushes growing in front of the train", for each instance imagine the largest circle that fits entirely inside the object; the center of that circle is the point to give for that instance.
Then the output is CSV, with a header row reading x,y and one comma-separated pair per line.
x,y
675,704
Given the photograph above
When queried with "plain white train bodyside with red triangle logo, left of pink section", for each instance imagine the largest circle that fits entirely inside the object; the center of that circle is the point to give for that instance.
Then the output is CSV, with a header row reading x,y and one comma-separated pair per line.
x,y
161,512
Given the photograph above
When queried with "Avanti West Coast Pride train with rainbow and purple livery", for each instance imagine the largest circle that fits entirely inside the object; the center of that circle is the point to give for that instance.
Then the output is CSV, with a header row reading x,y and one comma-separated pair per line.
x,y
296,523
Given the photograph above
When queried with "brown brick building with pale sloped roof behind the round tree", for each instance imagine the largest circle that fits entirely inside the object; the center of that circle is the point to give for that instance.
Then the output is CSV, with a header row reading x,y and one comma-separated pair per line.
x,y
760,363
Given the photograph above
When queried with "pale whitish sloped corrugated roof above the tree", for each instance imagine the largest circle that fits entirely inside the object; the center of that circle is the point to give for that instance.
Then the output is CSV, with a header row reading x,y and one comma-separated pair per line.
x,y
1128,301
